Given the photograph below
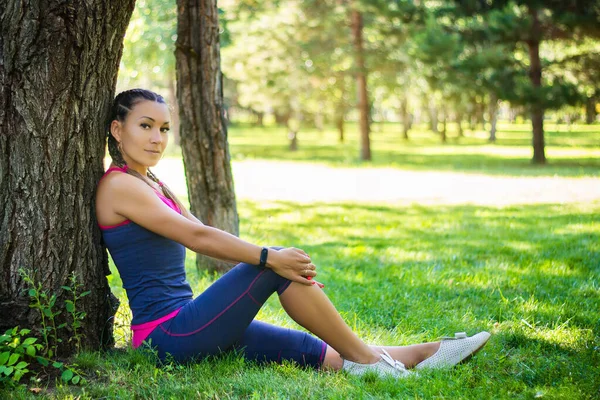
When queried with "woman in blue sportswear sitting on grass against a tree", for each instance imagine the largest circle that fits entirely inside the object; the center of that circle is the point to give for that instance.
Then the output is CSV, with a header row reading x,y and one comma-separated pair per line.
x,y
146,230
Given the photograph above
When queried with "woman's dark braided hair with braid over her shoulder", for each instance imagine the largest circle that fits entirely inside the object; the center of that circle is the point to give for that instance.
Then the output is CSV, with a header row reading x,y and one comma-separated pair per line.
x,y
122,105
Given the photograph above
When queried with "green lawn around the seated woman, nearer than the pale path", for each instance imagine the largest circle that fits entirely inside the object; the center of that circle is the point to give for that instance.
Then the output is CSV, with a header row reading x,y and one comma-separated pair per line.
x,y
407,274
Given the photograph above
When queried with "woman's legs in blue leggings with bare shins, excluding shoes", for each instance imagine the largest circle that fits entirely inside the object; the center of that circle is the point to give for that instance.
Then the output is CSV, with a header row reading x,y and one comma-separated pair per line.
x,y
221,317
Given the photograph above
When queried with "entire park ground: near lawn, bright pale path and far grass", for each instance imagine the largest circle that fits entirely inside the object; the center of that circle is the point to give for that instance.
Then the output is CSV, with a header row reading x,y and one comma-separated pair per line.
x,y
425,241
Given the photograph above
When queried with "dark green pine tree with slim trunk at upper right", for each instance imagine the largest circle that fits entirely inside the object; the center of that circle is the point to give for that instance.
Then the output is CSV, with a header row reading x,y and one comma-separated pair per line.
x,y
530,23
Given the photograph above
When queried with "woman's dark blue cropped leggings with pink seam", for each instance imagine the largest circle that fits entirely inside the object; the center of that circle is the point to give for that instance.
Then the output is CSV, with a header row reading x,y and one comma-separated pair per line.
x,y
222,318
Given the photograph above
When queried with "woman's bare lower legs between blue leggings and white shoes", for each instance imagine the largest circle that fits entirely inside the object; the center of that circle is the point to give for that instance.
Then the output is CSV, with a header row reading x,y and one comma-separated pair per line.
x,y
310,307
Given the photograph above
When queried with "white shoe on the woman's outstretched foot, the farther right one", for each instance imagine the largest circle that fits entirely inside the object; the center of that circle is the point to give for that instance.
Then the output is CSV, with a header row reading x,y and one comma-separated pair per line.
x,y
454,350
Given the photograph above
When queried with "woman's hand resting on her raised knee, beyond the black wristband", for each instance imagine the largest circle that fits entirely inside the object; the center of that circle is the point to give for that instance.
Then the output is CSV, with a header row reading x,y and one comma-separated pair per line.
x,y
293,264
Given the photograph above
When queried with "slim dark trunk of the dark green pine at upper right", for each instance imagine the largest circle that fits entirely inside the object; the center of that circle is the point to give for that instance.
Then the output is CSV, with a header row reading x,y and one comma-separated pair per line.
x,y
535,74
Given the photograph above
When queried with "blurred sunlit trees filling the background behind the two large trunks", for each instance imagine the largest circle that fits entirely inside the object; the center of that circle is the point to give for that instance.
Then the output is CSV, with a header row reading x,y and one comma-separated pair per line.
x,y
470,72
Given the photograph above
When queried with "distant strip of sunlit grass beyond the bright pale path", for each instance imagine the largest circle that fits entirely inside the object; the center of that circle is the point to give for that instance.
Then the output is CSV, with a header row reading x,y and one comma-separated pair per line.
x,y
572,153
